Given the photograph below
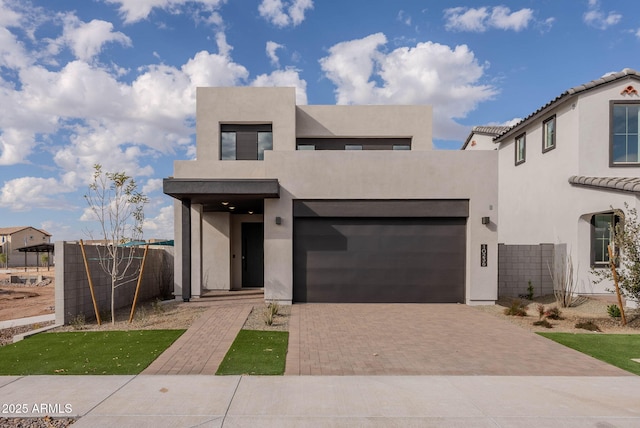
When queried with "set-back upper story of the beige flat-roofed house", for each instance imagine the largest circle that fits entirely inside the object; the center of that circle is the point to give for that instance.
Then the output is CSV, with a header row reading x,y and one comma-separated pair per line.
x,y
238,129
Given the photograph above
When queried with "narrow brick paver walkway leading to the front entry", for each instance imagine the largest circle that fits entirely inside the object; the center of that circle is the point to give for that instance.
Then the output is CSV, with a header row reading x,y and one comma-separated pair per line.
x,y
202,347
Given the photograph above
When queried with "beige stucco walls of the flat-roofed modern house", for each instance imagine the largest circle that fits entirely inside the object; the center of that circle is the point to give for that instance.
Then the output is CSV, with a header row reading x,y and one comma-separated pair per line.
x,y
416,174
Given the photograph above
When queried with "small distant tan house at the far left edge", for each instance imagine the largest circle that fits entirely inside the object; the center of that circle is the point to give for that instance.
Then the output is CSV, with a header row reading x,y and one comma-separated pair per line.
x,y
14,238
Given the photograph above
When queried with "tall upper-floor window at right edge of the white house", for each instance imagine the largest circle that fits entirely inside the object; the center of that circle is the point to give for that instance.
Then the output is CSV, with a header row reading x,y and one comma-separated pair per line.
x,y
624,143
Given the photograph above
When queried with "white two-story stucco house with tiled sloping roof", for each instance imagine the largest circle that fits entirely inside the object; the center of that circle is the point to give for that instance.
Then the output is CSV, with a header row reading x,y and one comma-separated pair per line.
x,y
564,169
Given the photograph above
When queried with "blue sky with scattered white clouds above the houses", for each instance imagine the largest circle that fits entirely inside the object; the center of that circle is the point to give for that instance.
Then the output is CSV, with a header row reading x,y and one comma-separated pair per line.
x,y
113,81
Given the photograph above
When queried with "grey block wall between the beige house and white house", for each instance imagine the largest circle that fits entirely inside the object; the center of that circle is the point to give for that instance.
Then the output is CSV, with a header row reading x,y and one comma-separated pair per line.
x,y
519,264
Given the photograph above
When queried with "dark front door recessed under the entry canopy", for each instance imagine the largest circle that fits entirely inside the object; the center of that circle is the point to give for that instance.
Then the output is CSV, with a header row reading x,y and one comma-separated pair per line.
x,y
252,254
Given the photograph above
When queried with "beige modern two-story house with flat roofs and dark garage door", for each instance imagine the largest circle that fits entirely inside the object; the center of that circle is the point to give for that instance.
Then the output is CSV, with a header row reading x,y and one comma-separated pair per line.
x,y
331,204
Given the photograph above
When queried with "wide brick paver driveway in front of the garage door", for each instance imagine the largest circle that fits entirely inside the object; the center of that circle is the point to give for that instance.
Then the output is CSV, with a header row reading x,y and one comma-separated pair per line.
x,y
423,339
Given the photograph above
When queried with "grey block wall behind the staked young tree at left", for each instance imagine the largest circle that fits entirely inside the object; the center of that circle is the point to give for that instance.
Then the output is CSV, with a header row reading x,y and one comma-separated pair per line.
x,y
73,295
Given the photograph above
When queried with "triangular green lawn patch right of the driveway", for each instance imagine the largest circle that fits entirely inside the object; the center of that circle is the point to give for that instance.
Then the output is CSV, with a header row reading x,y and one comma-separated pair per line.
x,y
615,349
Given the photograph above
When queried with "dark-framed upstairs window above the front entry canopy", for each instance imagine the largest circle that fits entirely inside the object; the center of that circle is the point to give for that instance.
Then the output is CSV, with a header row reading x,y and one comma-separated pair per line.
x,y
245,142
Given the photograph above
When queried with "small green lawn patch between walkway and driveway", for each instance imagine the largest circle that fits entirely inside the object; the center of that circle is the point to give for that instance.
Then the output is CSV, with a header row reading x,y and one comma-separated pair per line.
x,y
256,353
